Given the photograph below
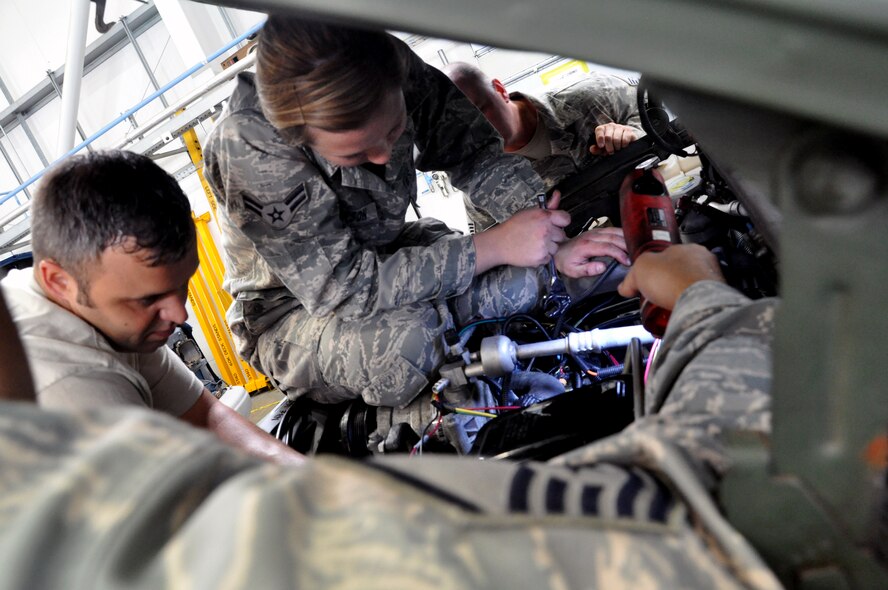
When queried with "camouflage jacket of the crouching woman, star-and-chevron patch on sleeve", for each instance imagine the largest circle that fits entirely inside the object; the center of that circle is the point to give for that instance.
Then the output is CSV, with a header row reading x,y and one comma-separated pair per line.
x,y
299,231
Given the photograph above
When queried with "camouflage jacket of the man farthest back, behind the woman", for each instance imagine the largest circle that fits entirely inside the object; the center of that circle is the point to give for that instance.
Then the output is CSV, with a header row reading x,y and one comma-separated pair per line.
x,y
572,114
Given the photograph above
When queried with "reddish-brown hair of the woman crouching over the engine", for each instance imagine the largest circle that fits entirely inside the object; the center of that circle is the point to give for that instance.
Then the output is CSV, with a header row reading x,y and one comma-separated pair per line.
x,y
330,77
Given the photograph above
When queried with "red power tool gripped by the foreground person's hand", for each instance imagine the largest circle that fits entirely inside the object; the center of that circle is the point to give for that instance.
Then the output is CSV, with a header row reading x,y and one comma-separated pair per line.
x,y
649,225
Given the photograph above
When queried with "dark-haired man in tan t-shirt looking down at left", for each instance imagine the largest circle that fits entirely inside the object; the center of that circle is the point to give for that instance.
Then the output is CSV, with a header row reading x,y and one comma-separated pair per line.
x,y
114,247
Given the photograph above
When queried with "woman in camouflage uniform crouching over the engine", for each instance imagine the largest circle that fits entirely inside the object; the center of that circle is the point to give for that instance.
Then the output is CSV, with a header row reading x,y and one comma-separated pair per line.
x,y
314,166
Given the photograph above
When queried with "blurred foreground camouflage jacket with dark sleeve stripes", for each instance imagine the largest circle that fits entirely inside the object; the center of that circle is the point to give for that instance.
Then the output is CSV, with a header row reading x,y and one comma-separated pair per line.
x,y
142,501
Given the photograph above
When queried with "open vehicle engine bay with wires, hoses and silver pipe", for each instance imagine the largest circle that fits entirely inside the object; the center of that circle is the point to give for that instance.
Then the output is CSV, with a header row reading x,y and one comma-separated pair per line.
x,y
532,386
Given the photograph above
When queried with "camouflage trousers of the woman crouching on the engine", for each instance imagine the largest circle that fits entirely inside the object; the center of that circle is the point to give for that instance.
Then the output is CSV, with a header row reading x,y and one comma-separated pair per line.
x,y
386,358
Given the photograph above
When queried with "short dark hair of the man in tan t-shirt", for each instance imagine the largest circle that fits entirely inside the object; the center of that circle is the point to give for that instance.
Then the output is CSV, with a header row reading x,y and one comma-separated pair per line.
x,y
88,203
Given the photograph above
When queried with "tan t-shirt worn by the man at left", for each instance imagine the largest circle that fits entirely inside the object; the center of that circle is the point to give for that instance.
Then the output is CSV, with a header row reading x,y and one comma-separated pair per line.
x,y
73,365
